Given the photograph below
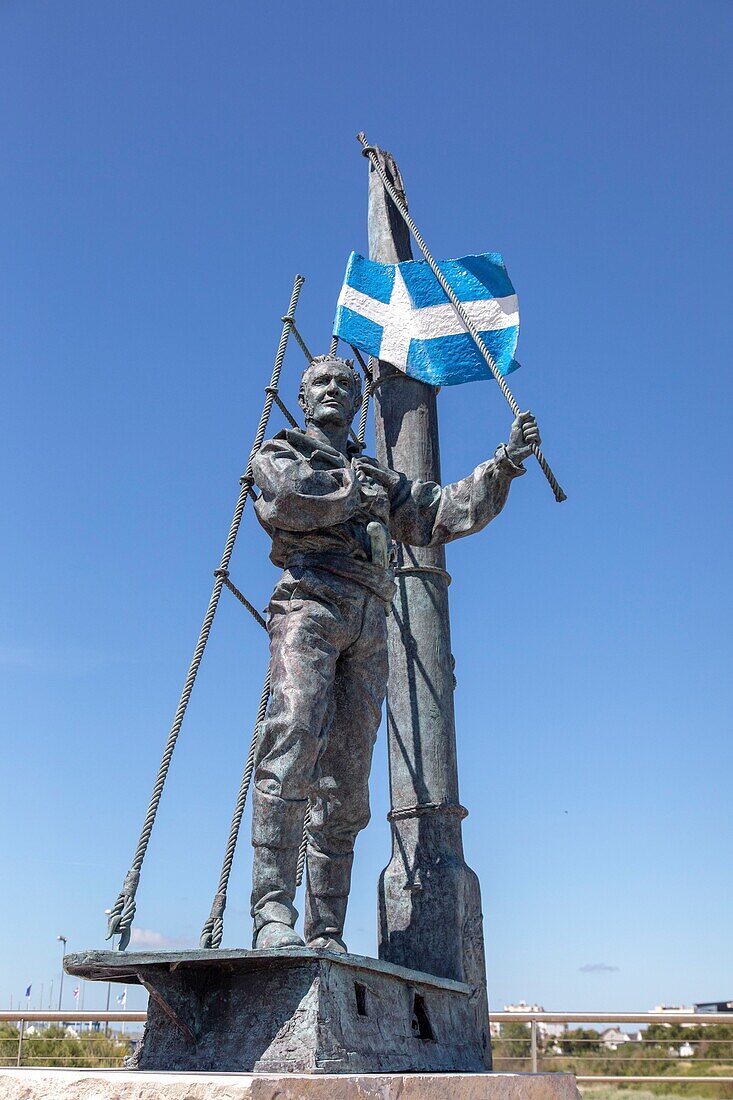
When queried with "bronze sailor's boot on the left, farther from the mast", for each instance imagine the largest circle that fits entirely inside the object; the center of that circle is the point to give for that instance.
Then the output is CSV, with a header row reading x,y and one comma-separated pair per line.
x,y
277,835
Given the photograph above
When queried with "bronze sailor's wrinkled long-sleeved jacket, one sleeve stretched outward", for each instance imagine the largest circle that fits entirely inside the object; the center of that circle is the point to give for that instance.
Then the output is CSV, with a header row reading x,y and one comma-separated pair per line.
x,y
316,509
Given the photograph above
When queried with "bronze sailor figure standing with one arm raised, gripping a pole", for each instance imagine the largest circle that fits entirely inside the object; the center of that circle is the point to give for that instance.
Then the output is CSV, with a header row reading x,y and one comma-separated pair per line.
x,y
332,513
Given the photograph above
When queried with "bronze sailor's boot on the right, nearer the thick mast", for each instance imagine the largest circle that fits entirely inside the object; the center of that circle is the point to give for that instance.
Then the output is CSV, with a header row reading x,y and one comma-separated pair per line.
x,y
327,896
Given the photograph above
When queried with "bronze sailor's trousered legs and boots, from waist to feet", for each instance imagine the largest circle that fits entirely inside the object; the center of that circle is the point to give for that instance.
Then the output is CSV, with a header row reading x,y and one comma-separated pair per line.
x,y
330,673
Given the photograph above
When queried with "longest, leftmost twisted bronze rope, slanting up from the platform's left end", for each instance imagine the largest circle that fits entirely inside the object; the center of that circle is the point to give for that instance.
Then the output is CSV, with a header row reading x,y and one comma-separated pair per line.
x,y
124,911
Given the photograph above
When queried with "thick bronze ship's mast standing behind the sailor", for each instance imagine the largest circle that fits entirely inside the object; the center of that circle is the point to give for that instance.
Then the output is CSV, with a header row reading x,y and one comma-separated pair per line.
x,y
429,899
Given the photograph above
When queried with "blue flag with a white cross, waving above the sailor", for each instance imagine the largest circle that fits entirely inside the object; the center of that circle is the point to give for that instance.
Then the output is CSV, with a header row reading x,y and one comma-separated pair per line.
x,y
400,314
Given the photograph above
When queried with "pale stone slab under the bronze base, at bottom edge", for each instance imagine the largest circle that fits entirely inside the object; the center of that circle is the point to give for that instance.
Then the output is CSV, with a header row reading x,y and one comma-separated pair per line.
x,y
130,1085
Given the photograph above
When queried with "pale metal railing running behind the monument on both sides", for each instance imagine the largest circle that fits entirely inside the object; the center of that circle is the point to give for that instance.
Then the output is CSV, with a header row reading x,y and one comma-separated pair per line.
x,y
545,1050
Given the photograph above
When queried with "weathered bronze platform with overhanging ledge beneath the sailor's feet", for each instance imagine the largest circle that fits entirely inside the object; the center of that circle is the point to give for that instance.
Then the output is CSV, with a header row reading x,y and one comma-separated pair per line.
x,y
293,1011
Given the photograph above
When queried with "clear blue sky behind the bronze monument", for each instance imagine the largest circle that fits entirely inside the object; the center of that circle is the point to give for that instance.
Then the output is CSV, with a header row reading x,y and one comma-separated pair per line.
x,y
168,169
